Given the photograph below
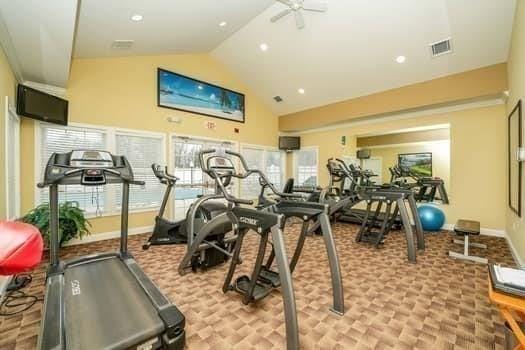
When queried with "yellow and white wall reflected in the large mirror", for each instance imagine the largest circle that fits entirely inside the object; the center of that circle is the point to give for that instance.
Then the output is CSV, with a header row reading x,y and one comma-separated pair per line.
x,y
440,158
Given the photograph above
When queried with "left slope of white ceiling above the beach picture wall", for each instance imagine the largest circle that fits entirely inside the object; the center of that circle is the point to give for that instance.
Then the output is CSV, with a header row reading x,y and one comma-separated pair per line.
x,y
168,26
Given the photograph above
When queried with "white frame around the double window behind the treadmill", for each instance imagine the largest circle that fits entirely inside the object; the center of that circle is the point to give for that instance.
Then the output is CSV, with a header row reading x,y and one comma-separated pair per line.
x,y
111,133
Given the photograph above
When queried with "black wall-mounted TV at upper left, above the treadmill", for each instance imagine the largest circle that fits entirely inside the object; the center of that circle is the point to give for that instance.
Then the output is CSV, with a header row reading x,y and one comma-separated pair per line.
x,y
38,105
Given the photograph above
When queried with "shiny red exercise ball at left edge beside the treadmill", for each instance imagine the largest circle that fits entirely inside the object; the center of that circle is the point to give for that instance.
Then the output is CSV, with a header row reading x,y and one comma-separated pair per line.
x,y
21,247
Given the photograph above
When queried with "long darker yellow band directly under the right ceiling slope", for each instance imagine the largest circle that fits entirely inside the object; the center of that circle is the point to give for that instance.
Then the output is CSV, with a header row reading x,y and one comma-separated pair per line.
x,y
486,81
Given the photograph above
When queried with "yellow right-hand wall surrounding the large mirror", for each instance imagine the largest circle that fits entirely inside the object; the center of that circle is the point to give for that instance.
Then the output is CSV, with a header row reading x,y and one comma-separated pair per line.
x,y
477,167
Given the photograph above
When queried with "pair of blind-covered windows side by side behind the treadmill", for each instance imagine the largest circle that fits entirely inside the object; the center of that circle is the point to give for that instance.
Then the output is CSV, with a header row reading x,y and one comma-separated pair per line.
x,y
140,148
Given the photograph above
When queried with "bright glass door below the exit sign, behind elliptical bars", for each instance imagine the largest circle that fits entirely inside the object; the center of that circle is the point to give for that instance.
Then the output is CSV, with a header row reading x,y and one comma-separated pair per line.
x,y
193,182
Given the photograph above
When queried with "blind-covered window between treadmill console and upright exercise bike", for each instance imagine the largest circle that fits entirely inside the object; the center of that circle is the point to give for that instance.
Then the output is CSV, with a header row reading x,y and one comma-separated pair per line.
x,y
142,151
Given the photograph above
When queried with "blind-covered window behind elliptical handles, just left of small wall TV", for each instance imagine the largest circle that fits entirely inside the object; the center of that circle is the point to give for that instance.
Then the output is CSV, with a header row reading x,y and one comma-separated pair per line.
x,y
269,161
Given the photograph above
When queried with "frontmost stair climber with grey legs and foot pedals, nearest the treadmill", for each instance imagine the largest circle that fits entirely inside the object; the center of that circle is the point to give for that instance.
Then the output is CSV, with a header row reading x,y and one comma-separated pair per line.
x,y
219,165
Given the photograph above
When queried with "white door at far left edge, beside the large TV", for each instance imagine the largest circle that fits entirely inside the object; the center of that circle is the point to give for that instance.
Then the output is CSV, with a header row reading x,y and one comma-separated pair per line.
x,y
12,156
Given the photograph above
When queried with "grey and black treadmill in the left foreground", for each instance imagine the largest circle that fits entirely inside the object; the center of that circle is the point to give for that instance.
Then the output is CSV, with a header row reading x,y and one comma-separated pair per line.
x,y
101,301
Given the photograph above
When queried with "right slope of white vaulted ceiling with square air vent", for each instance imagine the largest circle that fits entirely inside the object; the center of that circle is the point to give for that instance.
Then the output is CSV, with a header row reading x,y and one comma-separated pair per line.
x,y
350,50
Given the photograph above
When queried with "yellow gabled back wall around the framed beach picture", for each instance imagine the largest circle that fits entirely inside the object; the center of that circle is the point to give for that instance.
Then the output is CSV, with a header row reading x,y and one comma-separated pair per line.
x,y
122,92
